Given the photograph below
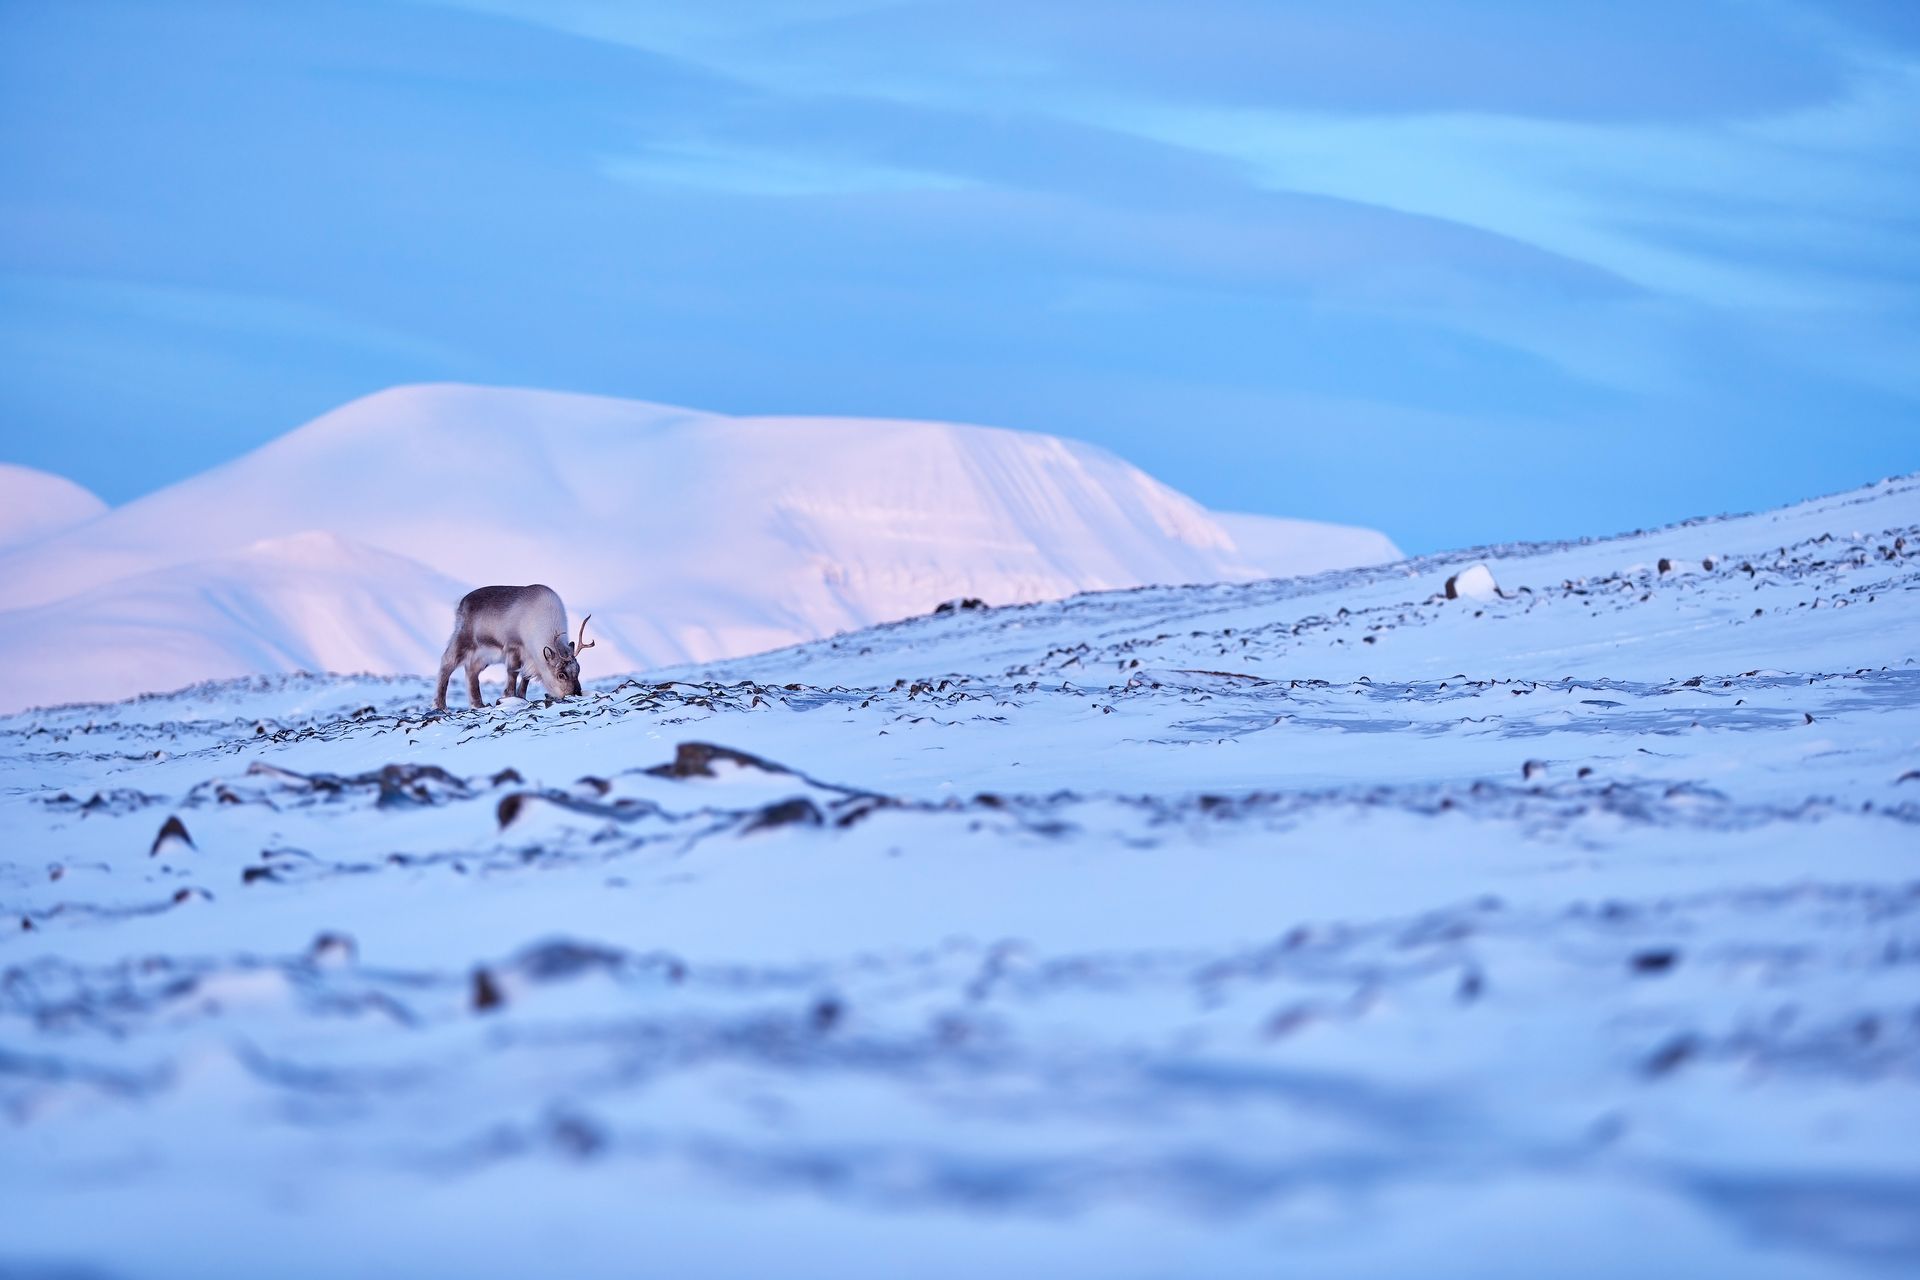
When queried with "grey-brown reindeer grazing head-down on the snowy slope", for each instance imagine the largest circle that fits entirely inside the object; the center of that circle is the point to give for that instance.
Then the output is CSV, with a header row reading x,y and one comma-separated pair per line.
x,y
519,627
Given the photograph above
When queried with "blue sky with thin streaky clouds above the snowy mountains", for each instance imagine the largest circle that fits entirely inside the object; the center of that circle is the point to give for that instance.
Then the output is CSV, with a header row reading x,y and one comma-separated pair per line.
x,y
1460,272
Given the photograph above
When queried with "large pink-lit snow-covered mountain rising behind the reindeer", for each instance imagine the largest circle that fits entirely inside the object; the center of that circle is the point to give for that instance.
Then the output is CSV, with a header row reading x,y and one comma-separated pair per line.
x,y
688,536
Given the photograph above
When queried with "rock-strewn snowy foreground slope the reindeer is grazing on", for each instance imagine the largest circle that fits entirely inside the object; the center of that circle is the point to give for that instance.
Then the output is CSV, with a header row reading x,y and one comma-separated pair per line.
x,y
1295,928
